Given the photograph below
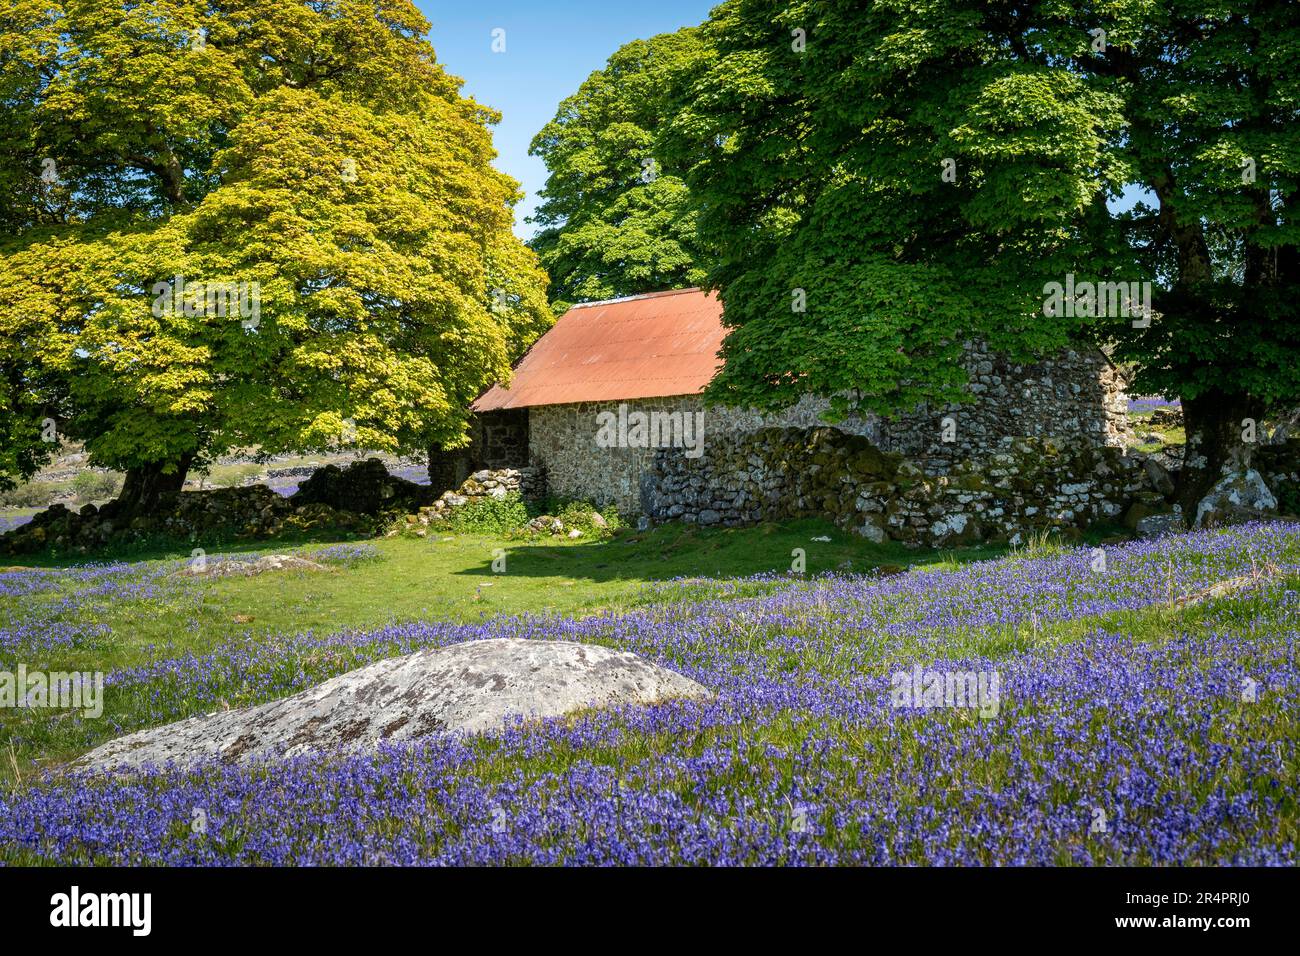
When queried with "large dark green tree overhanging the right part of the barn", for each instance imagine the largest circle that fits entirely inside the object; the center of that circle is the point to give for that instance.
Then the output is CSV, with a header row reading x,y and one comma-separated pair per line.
x,y
881,180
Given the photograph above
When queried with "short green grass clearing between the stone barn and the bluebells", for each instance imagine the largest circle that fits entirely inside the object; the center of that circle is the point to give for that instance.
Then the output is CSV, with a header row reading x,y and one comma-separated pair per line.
x,y
452,578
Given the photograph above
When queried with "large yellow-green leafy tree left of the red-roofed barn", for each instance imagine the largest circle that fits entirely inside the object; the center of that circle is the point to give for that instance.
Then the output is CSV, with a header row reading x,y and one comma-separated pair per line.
x,y
313,158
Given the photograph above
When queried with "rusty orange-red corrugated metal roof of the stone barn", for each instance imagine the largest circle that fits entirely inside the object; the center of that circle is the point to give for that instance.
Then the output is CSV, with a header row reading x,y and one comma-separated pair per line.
x,y
645,347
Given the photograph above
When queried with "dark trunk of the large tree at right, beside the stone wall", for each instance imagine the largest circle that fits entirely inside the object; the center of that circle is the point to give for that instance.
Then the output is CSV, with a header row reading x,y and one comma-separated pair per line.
x,y
1216,445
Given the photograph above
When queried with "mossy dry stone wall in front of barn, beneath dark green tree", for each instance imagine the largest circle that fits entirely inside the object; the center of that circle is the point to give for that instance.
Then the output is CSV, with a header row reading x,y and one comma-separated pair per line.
x,y
1025,486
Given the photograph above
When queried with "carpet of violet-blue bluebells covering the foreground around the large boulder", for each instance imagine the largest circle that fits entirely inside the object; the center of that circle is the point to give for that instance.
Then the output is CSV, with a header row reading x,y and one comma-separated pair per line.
x,y
1125,732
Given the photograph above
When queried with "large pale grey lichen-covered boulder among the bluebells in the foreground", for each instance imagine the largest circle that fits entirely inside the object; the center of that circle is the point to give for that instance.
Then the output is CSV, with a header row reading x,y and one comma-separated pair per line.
x,y
473,687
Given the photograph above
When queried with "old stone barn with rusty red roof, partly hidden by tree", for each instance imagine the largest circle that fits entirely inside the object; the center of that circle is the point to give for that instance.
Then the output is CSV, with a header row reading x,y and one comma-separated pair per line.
x,y
614,383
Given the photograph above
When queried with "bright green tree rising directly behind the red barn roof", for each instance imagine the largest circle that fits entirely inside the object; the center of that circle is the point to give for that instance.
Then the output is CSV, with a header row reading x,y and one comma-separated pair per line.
x,y
614,218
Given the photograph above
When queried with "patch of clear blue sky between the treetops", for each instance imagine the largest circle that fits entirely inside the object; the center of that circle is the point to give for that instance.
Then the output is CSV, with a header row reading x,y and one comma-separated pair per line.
x,y
552,46
